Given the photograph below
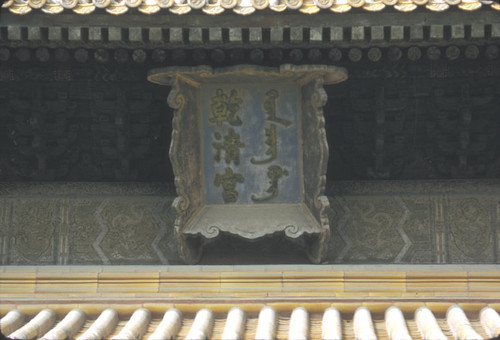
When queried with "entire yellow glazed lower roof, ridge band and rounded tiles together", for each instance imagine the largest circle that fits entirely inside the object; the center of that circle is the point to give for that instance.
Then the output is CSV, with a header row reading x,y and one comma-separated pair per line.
x,y
132,291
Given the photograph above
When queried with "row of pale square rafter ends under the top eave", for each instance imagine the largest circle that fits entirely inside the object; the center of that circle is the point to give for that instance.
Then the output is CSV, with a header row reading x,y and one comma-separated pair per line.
x,y
285,30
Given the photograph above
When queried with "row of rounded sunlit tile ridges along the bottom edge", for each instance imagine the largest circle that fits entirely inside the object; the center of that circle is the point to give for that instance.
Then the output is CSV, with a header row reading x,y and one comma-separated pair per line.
x,y
267,325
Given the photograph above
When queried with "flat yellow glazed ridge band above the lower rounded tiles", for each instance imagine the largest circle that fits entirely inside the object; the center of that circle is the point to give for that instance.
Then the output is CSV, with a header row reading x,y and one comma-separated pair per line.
x,y
317,284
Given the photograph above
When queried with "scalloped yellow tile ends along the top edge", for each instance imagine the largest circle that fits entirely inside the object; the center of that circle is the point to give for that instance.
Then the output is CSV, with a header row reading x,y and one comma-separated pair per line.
x,y
242,7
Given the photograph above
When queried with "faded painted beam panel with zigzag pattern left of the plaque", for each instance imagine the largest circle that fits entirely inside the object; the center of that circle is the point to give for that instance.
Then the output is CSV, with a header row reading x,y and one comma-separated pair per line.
x,y
86,223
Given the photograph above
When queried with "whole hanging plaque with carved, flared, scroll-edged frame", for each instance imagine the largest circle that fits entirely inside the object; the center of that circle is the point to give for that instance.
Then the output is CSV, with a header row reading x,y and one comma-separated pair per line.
x,y
300,210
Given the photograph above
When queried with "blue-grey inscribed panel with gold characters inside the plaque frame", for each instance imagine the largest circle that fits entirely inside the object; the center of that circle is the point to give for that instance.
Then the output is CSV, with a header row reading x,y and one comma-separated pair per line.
x,y
251,143
